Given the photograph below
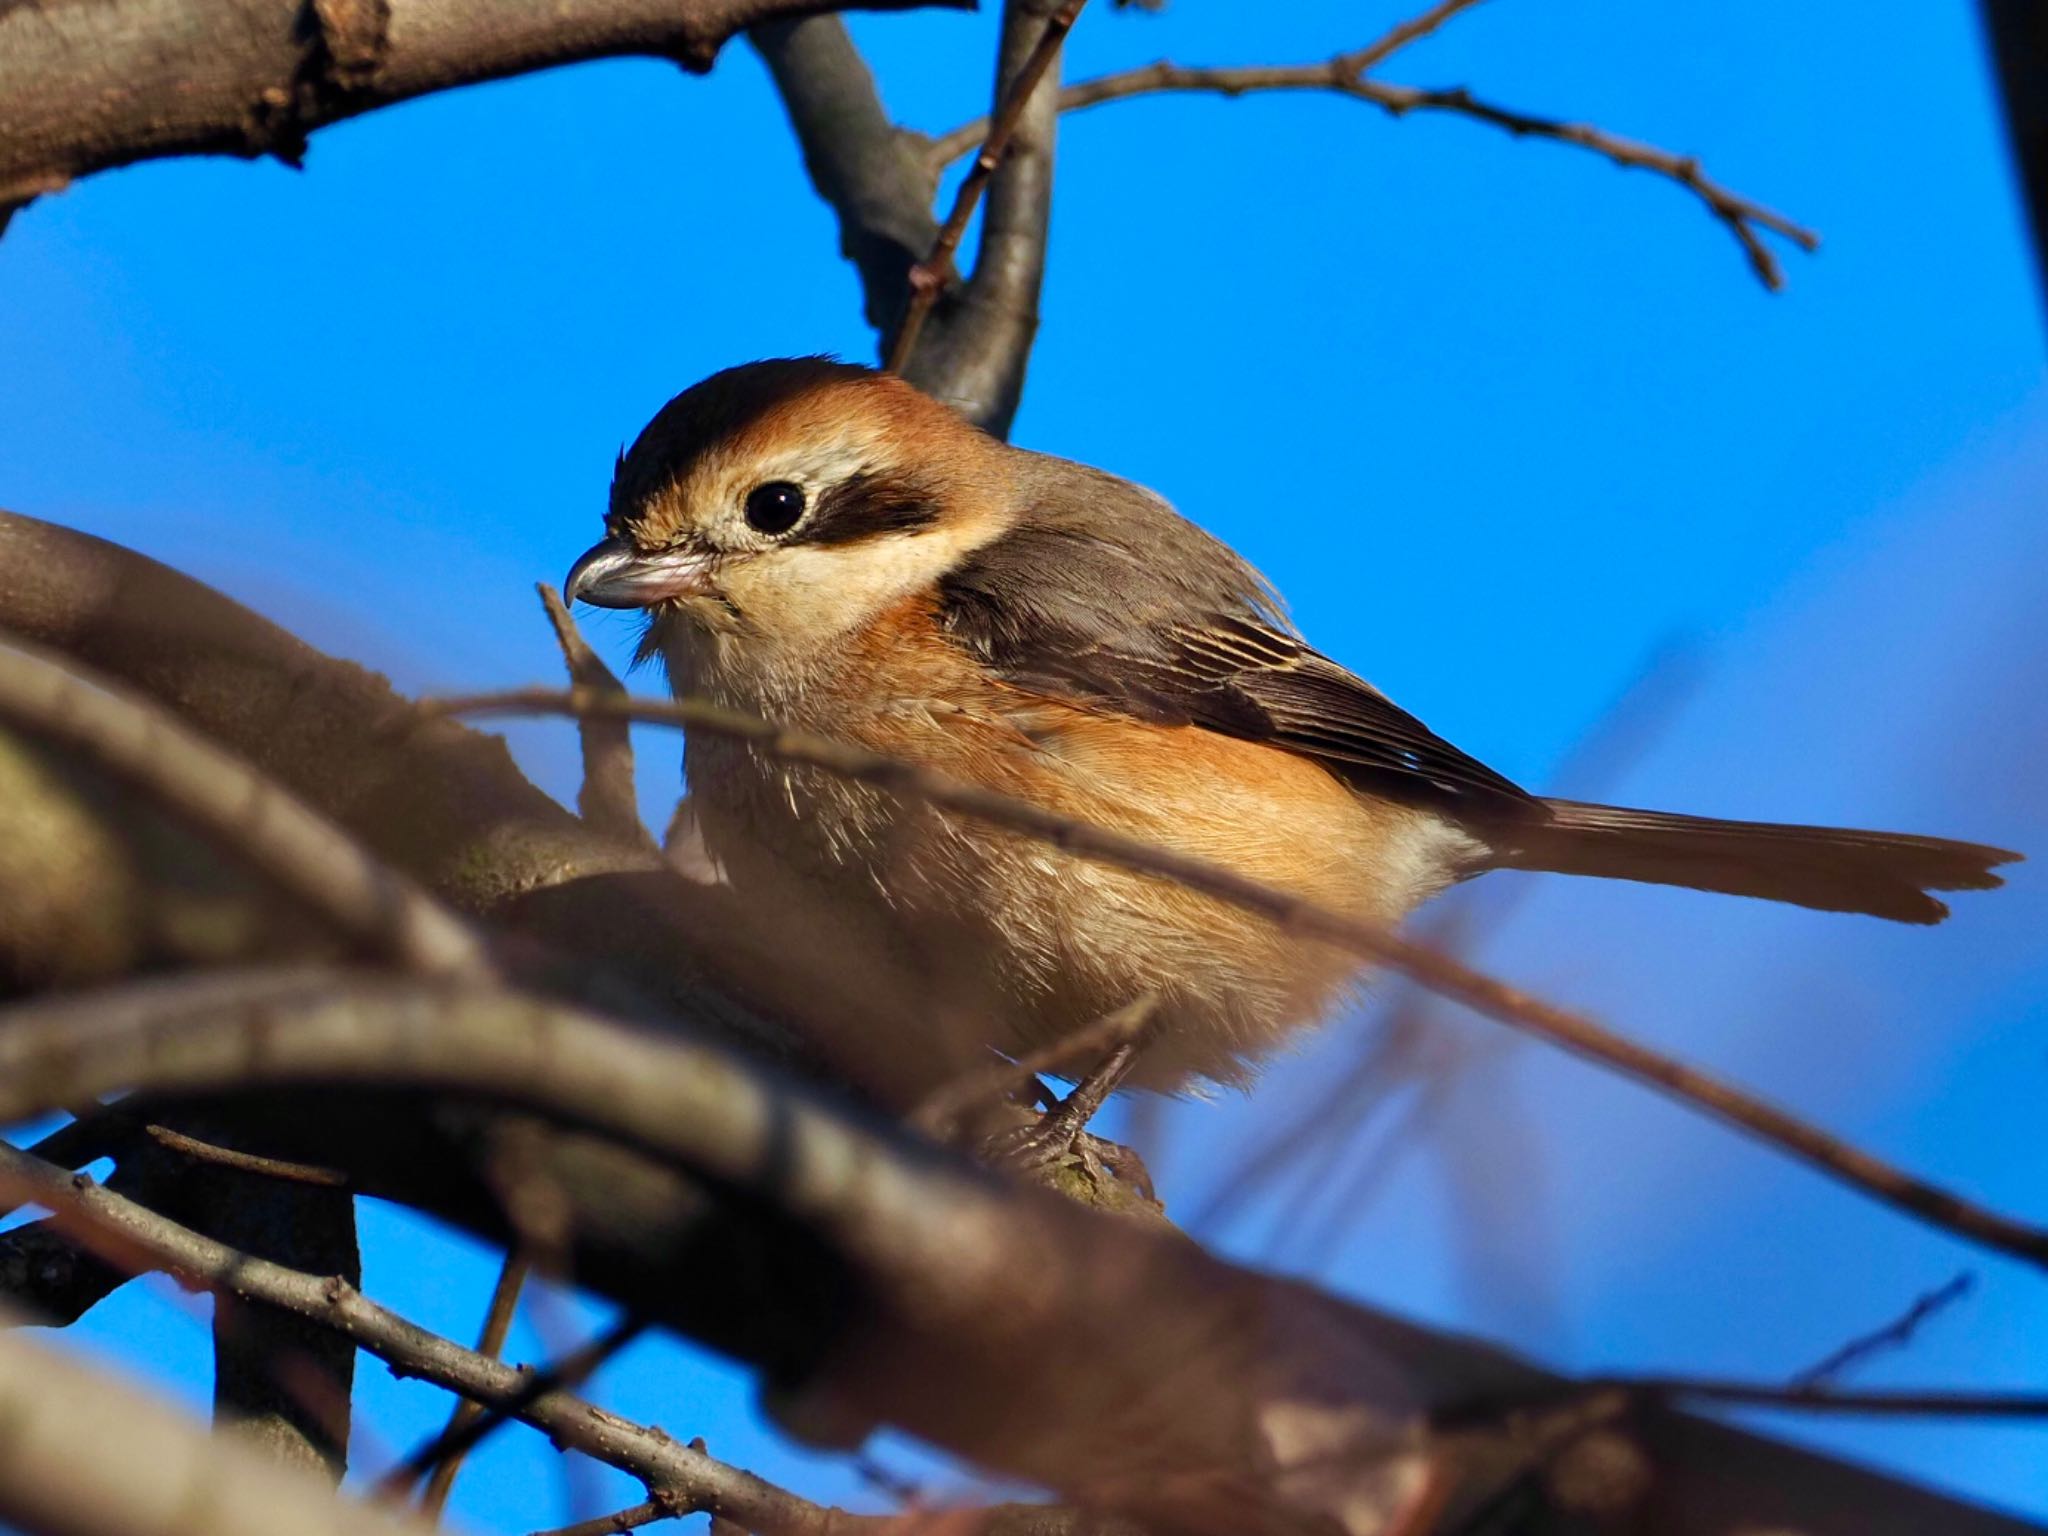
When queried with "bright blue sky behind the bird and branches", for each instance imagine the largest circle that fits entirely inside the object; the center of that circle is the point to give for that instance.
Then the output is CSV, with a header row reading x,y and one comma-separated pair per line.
x,y
1502,421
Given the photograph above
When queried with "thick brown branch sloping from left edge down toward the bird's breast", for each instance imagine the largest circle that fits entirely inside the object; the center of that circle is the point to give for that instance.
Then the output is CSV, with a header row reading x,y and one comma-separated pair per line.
x,y
443,804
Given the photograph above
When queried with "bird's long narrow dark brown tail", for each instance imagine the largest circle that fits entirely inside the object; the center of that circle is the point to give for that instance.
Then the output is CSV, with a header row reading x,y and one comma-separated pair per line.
x,y
1836,869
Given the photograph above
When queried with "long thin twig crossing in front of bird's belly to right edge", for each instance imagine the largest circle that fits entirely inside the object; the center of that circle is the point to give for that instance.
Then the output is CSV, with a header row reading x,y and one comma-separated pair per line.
x,y
1308,921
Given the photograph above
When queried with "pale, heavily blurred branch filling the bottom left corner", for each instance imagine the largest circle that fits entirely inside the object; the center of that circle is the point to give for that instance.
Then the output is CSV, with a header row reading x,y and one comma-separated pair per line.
x,y
171,1478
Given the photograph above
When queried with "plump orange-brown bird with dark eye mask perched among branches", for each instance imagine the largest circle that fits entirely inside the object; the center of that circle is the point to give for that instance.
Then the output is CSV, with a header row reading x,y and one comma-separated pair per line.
x,y
824,546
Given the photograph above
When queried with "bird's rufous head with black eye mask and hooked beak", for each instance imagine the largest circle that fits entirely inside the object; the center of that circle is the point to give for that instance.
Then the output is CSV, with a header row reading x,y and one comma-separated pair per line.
x,y
781,505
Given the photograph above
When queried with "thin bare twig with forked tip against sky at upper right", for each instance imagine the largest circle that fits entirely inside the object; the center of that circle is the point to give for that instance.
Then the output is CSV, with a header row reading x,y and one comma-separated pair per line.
x,y
1342,75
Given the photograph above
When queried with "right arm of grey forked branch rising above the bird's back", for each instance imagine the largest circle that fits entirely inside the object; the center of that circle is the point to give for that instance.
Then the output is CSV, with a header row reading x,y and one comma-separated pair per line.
x,y
978,359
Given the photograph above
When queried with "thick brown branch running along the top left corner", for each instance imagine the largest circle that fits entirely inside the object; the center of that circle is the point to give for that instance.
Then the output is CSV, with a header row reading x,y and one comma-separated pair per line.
x,y
108,85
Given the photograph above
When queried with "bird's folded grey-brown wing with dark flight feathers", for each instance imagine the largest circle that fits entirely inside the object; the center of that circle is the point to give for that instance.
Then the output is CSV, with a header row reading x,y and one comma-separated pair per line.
x,y
1162,624
